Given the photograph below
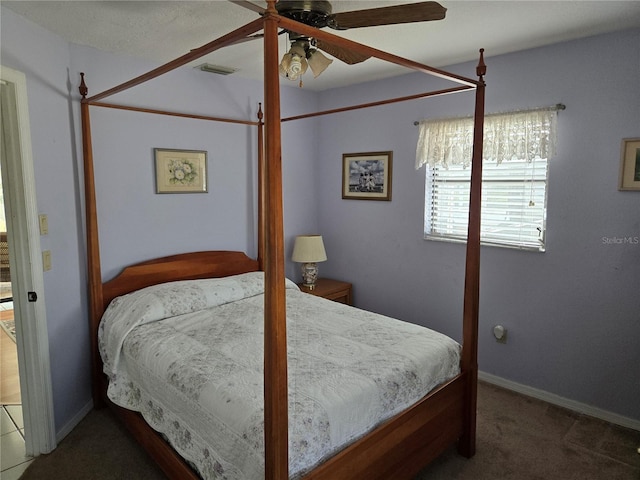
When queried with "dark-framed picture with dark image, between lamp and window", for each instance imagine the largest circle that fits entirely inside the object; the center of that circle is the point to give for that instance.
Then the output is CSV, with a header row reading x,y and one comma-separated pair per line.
x,y
367,176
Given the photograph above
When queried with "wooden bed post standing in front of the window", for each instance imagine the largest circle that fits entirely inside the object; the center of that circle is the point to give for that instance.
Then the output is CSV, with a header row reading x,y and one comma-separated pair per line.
x,y
469,364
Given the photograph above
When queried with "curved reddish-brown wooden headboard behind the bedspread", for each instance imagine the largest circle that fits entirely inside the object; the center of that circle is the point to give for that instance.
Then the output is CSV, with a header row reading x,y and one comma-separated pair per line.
x,y
186,266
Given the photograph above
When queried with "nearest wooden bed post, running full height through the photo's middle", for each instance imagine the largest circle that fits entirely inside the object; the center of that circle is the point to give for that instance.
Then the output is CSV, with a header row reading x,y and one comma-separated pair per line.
x,y
275,334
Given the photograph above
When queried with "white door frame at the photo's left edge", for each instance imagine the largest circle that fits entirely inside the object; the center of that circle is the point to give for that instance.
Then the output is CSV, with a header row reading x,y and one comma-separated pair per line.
x,y
26,265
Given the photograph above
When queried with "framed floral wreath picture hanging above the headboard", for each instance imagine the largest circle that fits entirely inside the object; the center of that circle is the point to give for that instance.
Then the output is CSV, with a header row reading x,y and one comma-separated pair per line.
x,y
180,171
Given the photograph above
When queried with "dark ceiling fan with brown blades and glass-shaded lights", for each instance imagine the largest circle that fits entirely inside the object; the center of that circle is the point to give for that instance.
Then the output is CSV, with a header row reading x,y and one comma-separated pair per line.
x,y
305,51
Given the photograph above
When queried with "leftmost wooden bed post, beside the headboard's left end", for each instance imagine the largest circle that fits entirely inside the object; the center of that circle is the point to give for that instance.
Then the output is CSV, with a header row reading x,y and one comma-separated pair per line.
x,y
93,246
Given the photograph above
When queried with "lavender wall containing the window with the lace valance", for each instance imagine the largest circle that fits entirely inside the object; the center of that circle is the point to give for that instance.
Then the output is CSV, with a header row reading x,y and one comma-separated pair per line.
x,y
573,313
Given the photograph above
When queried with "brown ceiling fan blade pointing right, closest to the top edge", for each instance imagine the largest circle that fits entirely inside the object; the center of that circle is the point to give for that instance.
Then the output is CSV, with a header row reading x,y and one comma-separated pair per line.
x,y
408,13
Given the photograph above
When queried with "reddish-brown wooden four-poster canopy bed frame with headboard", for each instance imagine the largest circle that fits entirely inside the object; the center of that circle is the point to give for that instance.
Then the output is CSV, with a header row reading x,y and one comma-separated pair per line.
x,y
402,446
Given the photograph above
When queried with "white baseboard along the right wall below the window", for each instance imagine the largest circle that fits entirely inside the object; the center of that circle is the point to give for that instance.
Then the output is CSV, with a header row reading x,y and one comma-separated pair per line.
x,y
561,401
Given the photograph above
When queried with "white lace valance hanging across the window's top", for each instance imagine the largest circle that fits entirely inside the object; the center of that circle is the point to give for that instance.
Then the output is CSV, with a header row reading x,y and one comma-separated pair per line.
x,y
507,136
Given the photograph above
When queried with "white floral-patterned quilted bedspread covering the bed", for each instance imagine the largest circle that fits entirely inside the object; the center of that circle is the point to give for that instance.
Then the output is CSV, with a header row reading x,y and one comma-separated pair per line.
x,y
189,357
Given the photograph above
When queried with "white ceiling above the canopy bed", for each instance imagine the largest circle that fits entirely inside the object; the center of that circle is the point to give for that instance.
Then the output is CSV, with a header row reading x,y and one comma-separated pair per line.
x,y
163,30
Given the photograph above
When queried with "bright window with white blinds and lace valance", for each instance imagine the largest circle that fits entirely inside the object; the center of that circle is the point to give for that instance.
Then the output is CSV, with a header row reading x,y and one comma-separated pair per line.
x,y
516,150
